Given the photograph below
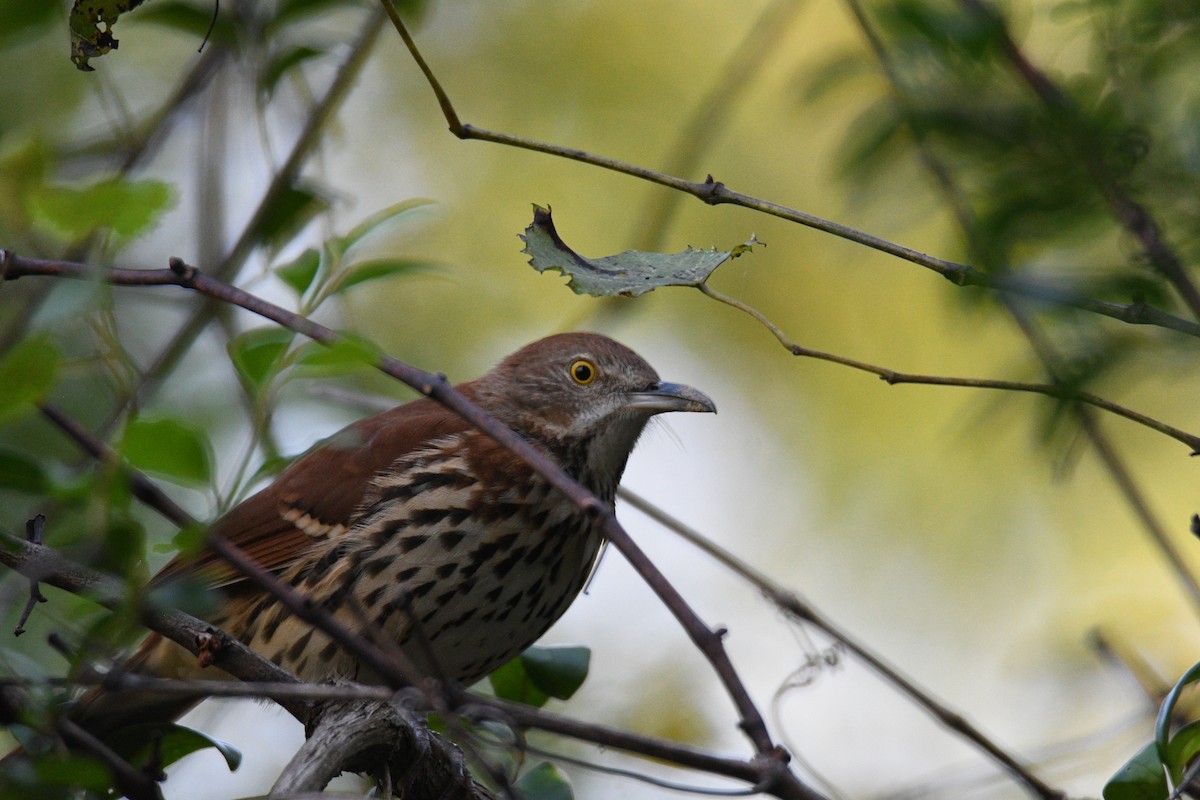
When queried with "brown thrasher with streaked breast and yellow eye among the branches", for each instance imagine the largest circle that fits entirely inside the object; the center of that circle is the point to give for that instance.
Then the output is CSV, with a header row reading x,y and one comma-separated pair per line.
x,y
452,546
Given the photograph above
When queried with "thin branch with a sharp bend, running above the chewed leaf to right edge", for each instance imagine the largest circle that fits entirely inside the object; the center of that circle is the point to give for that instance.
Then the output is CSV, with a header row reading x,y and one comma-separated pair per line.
x,y
715,194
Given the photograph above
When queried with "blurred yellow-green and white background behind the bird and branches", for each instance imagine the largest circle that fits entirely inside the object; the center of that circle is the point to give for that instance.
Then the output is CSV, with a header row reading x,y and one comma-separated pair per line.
x,y
969,537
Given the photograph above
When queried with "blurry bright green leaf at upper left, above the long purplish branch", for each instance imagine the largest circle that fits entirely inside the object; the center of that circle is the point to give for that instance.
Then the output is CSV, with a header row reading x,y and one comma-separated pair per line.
x,y
125,208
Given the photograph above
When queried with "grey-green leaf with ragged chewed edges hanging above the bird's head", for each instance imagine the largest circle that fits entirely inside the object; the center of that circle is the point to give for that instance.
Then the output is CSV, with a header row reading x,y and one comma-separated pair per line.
x,y
628,275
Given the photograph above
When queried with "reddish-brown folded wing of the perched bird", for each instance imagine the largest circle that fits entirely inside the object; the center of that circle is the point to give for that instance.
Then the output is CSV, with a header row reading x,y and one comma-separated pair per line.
x,y
317,497
